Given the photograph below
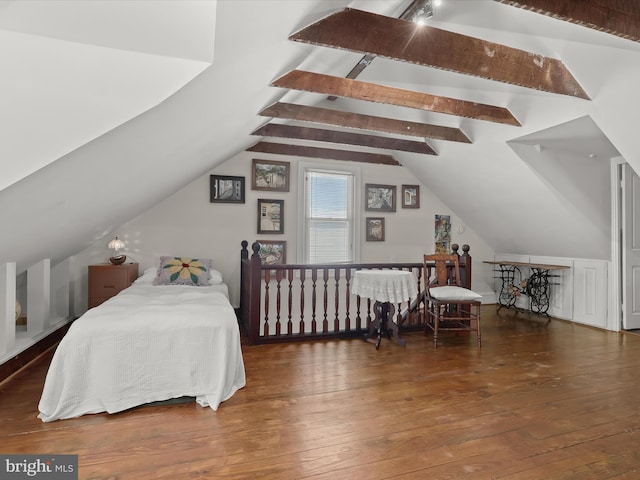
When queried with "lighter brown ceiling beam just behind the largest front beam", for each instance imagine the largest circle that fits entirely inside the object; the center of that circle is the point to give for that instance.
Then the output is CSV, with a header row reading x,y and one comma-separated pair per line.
x,y
372,92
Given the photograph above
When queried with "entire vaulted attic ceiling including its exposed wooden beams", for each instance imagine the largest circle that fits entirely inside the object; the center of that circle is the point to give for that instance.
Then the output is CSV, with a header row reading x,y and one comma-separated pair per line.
x,y
493,94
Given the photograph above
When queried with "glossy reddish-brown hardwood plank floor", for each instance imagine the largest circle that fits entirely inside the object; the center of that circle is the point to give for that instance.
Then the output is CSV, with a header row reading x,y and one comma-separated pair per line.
x,y
537,401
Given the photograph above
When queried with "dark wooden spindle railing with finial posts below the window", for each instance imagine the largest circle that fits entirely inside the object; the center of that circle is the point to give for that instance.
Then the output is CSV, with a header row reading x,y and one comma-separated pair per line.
x,y
284,303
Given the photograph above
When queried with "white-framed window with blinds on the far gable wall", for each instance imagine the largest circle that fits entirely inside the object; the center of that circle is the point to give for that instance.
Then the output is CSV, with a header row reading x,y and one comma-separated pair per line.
x,y
329,230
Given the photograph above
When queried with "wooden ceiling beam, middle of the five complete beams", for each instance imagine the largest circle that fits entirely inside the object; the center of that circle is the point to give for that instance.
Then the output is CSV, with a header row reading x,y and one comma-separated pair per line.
x,y
363,122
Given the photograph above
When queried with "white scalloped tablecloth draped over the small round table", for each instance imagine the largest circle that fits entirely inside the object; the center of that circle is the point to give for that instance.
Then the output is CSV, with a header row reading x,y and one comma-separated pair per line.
x,y
393,286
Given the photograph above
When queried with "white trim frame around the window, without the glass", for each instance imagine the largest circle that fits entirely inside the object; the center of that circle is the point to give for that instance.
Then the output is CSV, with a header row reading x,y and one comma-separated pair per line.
x,y
303,169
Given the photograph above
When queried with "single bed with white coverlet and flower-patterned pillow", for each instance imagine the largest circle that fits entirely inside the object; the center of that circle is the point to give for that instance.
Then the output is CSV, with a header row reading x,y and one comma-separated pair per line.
x,y
154,341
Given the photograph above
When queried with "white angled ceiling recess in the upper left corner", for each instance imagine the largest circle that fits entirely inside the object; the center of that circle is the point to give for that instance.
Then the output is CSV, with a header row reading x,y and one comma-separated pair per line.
x,y
73,70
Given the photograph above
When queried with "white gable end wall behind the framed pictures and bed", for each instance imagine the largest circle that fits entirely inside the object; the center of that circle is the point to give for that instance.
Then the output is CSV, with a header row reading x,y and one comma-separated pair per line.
x,y
187,224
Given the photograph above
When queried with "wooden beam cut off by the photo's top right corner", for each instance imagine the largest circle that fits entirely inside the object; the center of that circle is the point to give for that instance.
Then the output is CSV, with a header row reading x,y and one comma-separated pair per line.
x,y
617,17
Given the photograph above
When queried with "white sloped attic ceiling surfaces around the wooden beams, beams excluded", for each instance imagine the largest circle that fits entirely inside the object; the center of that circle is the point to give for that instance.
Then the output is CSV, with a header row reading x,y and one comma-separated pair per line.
x,y
107,107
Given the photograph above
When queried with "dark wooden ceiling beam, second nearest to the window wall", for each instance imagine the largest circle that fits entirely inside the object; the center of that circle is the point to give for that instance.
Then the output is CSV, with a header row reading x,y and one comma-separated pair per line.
x,y
323,135
